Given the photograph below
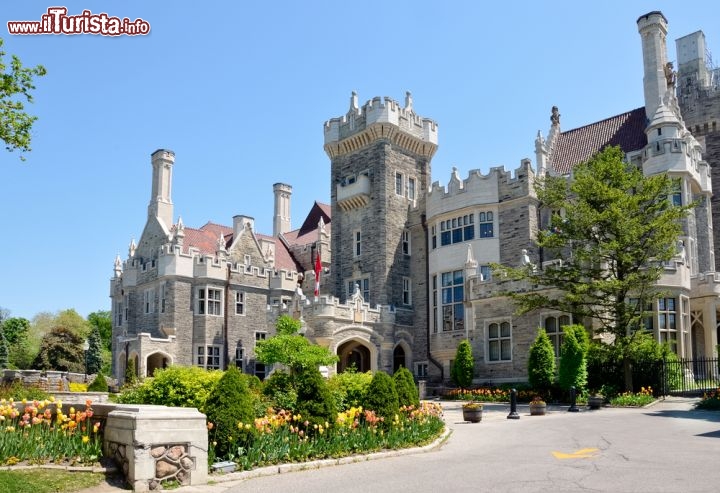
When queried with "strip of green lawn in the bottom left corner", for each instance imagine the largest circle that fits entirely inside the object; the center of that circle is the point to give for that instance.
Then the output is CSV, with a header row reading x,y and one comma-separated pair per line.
x,y
47,481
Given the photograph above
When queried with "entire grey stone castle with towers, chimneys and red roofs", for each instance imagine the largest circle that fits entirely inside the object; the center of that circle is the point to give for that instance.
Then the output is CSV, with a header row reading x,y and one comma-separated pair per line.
x,y
404,261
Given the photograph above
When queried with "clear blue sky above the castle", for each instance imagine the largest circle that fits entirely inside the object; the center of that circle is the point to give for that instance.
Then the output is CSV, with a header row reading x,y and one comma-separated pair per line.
x,y
240,91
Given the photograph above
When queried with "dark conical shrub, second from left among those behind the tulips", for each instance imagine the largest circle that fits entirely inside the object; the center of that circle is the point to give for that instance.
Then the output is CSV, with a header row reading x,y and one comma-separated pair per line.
x,y
315,402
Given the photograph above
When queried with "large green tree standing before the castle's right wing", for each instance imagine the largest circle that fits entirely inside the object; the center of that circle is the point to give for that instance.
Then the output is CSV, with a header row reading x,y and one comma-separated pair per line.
x,y
613,227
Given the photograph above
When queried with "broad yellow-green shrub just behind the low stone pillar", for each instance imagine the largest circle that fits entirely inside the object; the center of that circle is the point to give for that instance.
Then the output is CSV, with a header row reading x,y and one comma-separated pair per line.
x,y
178,386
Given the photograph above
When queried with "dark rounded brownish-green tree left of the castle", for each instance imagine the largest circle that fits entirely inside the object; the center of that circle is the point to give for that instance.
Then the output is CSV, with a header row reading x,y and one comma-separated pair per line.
x,y
62,350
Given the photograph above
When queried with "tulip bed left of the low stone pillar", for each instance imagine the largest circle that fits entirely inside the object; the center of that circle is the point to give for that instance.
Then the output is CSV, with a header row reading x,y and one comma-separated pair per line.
x,y
38,432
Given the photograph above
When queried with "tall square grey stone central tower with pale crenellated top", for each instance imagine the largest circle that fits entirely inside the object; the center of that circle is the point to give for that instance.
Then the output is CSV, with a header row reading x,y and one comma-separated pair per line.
x,y
380,166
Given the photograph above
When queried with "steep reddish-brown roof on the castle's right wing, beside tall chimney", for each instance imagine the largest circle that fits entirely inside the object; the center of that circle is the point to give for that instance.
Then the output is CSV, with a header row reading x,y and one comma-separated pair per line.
x,y
580,144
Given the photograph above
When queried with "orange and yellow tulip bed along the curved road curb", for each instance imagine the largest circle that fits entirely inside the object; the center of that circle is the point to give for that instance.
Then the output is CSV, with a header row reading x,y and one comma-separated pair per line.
x,y
283,437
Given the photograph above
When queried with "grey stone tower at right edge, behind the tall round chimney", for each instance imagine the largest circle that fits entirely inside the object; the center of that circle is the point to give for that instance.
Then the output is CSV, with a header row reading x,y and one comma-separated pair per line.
x,y
698,93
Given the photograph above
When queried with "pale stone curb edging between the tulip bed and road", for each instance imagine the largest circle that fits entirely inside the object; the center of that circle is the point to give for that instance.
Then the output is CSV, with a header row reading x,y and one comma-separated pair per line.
x,y
317,464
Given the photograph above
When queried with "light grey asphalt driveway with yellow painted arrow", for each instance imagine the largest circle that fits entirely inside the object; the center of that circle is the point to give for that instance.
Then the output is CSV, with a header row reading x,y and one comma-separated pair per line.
x,y
664,448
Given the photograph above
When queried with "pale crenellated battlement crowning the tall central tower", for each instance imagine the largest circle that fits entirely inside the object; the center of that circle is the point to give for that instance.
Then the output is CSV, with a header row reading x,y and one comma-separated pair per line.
x,y
380,111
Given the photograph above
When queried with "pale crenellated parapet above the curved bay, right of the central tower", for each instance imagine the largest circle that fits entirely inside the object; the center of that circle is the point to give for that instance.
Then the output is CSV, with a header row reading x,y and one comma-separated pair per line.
x,y
478,188
